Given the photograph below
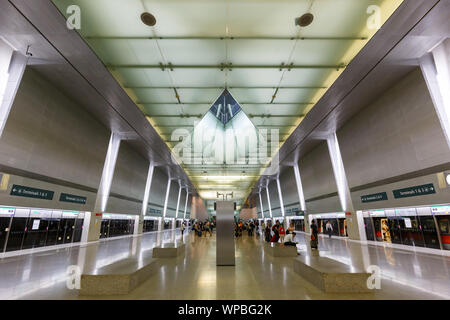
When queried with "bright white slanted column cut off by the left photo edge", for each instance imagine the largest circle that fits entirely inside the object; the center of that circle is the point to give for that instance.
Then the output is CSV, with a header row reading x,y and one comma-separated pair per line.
x,y
10,79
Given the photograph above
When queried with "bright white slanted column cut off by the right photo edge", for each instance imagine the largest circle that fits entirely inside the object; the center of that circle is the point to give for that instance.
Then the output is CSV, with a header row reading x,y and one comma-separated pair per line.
x,y
435,68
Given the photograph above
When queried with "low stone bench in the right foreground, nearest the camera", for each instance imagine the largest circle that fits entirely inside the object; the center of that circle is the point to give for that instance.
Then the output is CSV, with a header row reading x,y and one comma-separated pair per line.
x,y
331,276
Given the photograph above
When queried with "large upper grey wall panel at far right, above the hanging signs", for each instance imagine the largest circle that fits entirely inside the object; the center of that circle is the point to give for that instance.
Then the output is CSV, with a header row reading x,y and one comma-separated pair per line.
x,y
397,134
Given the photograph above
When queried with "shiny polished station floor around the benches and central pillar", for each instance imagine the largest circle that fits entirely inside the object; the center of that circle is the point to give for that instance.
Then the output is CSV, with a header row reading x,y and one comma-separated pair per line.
x,y
405,274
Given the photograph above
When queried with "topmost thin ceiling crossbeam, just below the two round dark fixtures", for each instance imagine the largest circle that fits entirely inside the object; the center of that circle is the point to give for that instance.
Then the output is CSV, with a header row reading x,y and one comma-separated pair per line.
x,y
345,38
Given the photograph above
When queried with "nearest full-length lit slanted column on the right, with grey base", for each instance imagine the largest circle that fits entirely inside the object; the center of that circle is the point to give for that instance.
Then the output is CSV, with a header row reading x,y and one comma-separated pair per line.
x,y
343,188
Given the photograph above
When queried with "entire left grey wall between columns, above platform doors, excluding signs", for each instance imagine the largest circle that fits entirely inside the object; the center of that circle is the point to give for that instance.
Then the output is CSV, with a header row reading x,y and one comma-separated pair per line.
x,y
52,143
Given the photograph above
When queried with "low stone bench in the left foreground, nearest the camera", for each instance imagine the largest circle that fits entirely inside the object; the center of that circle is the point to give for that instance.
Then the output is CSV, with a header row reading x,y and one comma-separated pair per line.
x,y
119,278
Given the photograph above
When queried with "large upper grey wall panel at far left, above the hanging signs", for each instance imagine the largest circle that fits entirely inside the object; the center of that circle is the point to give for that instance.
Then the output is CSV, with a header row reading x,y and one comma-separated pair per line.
x,y
48,134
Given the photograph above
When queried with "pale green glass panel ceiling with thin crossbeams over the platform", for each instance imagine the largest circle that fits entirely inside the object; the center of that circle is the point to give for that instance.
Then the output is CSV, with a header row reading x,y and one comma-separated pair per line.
x,y
275,70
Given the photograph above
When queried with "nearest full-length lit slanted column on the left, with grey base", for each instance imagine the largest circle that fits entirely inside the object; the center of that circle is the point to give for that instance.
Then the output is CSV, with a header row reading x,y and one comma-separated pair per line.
x,y
105,187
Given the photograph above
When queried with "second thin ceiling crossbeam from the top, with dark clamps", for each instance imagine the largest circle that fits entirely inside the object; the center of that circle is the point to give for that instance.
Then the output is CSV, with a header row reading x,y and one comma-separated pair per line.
x,y
223,66
